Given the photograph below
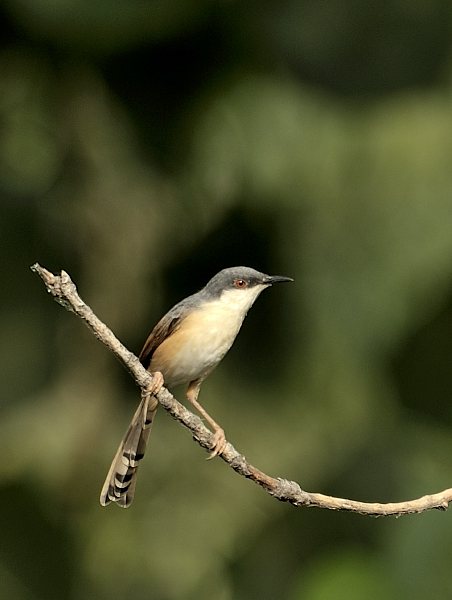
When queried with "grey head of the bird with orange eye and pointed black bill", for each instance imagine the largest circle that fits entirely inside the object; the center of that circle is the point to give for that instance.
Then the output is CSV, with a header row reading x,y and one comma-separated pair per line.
x,y
240,279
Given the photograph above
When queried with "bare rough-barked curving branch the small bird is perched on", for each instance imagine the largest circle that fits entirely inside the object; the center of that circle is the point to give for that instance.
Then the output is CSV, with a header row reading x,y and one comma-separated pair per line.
x,y
65,292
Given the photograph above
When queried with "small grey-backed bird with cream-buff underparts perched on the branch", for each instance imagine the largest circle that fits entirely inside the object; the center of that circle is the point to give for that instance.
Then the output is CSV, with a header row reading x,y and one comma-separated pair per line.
x,y
184,348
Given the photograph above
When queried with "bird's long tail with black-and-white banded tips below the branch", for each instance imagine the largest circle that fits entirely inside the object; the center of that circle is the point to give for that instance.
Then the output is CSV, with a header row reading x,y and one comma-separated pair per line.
x,y
121,479
